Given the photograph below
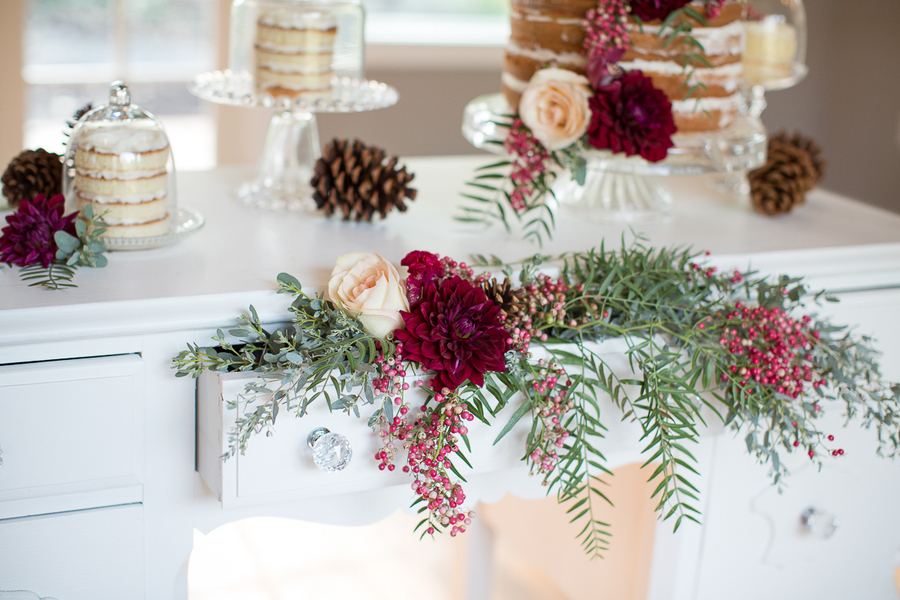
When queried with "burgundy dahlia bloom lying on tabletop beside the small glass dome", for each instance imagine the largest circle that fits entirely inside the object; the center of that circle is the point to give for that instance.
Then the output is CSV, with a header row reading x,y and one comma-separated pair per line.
x,y
28,237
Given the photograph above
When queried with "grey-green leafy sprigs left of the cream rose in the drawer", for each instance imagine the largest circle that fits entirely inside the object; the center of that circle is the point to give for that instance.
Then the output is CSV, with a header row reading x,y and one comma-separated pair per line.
x,y
323,353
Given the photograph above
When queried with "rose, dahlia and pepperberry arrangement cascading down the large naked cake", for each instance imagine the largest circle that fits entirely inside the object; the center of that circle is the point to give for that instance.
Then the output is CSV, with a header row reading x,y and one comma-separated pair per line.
x,y
562,114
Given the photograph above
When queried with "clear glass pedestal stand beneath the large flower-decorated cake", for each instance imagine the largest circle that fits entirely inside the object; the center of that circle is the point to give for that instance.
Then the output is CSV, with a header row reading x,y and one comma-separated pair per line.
x,y
621,188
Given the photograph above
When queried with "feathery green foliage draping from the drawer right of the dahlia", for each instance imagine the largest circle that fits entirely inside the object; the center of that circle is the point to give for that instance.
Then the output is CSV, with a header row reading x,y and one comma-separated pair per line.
x,y
655,300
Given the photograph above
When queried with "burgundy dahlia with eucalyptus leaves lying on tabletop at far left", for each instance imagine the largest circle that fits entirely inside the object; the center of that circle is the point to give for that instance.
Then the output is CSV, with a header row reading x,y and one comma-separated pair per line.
x,y
49,246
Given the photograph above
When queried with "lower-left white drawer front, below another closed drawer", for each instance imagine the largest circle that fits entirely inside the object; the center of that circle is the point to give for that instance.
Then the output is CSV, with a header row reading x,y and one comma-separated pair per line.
x,y
85,555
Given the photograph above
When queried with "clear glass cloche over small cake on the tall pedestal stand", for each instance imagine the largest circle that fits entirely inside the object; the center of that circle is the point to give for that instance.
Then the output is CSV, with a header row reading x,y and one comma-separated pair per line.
x,y
296,48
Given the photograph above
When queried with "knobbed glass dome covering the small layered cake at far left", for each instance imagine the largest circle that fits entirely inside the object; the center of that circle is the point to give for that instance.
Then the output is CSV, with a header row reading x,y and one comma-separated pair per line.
x,y
119,161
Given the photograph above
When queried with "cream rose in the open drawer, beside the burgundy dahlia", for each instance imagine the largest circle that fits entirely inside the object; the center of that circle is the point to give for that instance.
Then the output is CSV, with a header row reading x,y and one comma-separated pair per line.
x,y
367,286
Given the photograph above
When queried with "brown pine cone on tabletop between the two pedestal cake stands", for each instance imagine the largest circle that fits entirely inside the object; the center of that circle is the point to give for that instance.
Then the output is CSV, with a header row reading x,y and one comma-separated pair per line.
x,y
354,181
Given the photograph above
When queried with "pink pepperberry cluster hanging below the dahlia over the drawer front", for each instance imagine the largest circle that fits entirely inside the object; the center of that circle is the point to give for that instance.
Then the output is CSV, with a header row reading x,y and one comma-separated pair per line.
x,y
429,441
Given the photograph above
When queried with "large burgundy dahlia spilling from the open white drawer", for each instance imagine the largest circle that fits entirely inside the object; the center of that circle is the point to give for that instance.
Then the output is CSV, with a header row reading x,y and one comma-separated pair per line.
x,y
455,331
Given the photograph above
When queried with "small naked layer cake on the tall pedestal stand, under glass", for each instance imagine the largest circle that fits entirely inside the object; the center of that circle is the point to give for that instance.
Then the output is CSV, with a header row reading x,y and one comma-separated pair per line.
x,y
294,51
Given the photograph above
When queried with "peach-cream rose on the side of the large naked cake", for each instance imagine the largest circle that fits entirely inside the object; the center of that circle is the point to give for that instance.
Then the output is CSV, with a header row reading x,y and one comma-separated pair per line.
x,y
554,106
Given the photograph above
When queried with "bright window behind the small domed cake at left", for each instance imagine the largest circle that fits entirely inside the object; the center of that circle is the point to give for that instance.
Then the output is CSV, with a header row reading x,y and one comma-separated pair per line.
x,y
74,50
